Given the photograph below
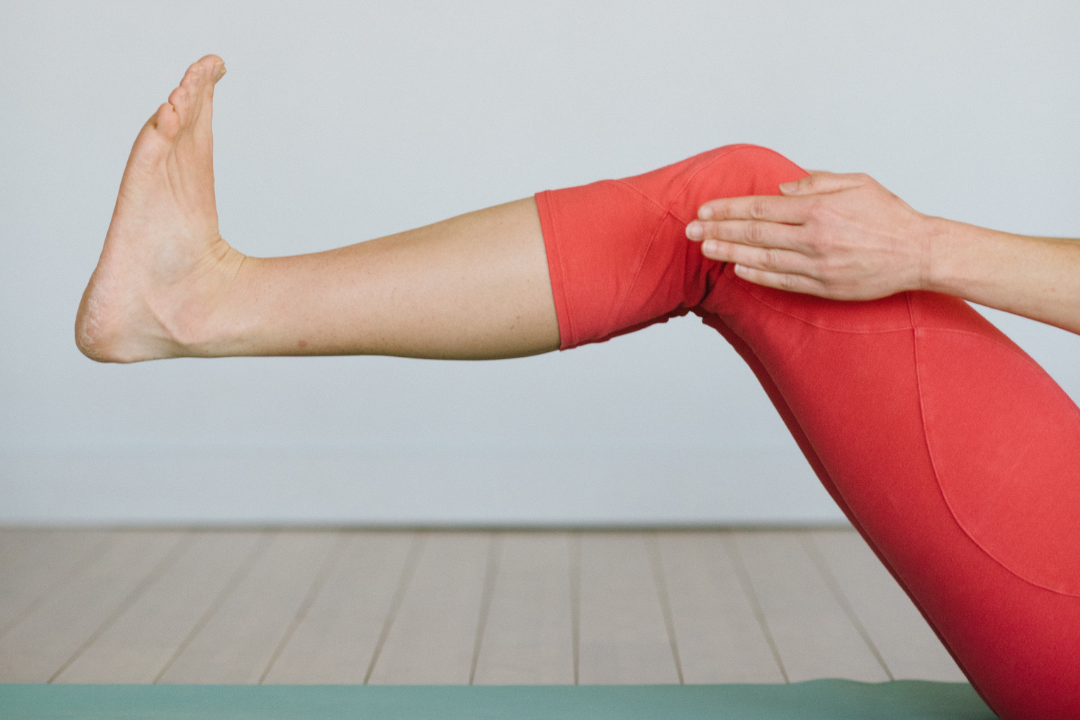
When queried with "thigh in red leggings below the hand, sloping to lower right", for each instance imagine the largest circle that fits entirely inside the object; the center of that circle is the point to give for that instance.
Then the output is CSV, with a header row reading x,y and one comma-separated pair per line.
x,y
961,460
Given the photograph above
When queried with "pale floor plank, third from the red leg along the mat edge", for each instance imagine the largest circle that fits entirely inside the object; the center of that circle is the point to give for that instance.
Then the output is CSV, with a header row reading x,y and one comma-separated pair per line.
x,y
720,636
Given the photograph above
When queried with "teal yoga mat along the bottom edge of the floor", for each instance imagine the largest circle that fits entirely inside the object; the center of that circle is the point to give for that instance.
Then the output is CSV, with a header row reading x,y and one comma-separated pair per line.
x,y
817,700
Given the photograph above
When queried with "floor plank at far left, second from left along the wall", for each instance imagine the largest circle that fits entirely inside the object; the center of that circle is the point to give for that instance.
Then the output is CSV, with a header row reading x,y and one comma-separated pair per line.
x,y
55,560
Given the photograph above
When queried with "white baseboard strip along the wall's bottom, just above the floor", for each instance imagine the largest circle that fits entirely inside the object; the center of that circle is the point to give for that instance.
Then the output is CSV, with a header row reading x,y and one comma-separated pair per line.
x,y
449,487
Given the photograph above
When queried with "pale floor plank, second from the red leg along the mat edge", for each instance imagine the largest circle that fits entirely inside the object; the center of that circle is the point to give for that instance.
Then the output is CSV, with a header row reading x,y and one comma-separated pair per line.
x,y
815,636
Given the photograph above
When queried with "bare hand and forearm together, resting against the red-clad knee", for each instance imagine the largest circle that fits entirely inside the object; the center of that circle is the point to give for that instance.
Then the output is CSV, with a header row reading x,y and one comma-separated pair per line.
x,y
847,238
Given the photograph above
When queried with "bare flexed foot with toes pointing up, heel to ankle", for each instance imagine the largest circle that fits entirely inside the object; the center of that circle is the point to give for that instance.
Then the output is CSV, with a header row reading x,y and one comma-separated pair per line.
x,y
165,267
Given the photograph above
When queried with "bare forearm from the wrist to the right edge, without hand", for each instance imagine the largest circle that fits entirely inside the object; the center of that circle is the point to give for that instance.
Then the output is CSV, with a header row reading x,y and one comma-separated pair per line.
x,y
1038,278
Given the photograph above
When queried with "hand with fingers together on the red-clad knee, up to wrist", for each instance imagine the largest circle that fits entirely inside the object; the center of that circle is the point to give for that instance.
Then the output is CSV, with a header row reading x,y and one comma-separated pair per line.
x,y
839,237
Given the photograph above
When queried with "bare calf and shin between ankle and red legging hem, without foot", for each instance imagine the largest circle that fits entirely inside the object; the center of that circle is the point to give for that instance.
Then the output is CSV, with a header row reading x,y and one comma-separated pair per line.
x,y
471,288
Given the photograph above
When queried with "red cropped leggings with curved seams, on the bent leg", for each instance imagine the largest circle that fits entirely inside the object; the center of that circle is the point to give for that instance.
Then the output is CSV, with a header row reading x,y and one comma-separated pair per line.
x,y
950,450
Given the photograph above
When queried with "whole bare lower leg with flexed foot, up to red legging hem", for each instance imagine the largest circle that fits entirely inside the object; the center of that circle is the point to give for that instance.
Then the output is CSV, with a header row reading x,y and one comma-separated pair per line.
x,y
168,286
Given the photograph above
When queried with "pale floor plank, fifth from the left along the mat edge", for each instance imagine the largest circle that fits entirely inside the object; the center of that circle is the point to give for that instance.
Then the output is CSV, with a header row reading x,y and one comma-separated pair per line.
x,y
434,636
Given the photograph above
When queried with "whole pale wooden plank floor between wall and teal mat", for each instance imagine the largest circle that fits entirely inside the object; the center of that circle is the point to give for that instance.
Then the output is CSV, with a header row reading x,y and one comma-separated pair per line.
x,y
458,608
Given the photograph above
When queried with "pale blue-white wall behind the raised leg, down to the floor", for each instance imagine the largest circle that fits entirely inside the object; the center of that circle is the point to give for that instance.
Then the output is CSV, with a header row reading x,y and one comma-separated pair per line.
x,y
343,121
